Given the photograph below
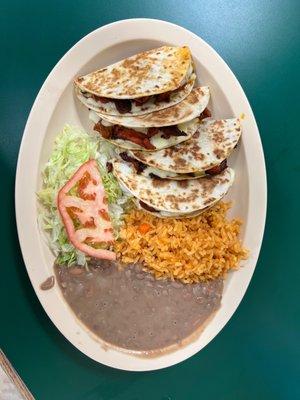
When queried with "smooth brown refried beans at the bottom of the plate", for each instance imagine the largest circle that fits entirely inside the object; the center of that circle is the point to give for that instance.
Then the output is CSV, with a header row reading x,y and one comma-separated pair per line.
x,y
128,308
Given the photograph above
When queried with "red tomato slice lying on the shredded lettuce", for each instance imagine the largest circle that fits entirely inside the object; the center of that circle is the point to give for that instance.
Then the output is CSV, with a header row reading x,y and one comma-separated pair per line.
x,y
83,208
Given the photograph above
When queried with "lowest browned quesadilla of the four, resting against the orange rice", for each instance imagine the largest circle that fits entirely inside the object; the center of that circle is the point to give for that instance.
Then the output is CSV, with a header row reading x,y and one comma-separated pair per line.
x,y
172,196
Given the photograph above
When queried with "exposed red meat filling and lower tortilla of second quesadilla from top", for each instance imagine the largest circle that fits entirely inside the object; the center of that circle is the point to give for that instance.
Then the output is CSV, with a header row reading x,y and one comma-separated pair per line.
x,y
147,139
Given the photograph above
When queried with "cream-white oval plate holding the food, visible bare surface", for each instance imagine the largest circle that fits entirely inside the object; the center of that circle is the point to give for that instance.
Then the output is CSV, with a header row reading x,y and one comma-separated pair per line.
x,y
56,105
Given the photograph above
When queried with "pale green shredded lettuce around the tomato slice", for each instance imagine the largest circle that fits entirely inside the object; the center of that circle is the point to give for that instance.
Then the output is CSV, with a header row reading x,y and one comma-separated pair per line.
x,y
72,148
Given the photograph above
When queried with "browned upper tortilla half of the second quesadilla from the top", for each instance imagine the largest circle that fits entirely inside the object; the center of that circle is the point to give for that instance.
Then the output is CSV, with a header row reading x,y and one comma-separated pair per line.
x,y
191,107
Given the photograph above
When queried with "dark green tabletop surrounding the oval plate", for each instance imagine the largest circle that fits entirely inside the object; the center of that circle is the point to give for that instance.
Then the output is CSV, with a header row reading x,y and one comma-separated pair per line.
x,y
257,355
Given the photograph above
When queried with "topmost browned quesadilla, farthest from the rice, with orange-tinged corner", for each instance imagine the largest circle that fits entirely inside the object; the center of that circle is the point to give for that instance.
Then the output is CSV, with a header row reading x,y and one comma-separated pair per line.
x,y
146,82
